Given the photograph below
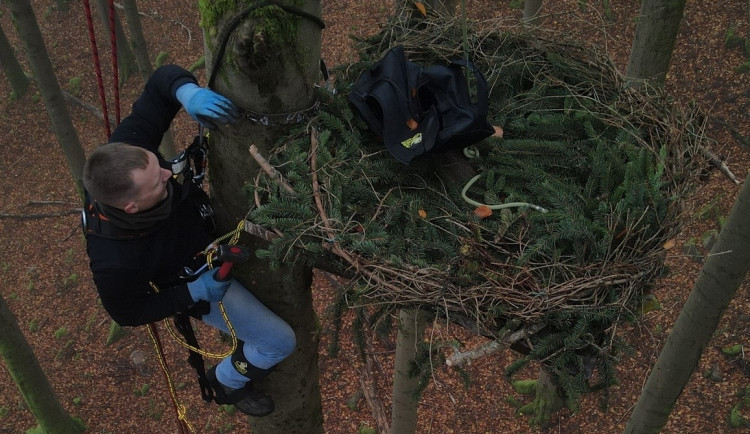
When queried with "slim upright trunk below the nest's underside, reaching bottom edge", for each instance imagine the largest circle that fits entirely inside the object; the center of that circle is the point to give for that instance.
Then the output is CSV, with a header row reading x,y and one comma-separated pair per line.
x,y
411,325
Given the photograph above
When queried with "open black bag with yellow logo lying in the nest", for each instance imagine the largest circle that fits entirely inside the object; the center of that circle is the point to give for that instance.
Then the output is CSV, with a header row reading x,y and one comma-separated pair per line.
x,y
418,110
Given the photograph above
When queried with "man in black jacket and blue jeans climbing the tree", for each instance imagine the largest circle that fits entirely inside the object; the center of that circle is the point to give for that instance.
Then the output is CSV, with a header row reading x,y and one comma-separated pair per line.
x,y
148,240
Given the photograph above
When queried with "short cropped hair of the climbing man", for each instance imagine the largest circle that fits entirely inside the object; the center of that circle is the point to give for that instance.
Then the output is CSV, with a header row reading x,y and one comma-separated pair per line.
x,y
106,174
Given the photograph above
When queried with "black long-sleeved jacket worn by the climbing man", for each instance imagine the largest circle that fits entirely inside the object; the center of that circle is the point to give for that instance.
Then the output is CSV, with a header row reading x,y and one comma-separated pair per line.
x,y
123,267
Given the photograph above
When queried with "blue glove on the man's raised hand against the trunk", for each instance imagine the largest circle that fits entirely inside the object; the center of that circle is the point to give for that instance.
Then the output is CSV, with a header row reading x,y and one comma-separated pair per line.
x,y
206,106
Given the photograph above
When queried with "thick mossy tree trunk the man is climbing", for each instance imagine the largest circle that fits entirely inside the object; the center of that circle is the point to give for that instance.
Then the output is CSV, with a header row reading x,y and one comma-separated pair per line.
x,y
268,73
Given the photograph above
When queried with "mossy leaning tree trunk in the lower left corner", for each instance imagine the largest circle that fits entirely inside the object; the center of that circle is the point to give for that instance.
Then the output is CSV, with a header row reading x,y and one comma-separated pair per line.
x,y
30,379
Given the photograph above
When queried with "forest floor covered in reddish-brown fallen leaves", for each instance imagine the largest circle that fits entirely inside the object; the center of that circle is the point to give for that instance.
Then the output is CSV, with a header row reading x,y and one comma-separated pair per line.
x,y
44,273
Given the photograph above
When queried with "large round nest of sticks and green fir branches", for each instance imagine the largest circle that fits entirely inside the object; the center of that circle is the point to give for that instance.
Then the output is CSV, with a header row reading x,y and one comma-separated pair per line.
x,y
610,163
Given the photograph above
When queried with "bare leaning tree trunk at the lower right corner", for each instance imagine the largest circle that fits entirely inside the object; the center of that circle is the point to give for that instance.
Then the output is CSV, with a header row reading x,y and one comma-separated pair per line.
x,y
722,274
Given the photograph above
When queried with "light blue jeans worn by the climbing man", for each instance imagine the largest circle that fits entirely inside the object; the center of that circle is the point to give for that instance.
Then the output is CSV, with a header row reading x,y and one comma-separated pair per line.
x,y
268,338
